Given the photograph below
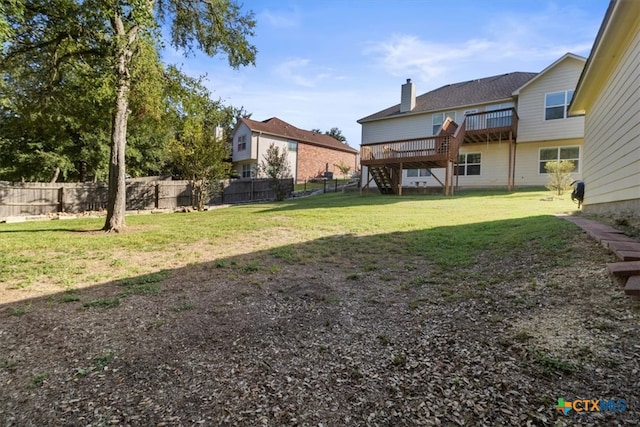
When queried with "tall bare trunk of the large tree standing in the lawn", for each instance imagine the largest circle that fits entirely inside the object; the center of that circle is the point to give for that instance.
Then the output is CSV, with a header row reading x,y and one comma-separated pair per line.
x,y
116,204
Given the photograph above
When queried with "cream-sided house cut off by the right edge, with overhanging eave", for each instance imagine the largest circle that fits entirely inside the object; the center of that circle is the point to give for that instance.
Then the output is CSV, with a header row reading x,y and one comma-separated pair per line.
x,y
608,93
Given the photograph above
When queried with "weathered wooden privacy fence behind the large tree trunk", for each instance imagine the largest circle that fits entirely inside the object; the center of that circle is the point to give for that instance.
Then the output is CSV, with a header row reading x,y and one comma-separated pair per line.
x,y
38,198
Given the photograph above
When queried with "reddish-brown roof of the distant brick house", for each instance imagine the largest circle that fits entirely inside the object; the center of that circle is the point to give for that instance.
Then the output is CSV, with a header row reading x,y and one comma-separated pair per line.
x,y
276,127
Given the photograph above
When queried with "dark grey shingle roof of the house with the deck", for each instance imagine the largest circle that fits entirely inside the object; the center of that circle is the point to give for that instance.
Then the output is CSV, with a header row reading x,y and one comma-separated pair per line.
x,y
472,92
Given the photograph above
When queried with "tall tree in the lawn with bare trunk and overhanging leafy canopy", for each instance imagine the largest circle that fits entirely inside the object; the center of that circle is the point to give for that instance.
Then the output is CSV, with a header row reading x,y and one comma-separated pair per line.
x,y
116,31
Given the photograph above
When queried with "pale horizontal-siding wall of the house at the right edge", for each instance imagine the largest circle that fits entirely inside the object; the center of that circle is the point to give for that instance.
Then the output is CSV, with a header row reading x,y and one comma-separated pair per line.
x,y
612,137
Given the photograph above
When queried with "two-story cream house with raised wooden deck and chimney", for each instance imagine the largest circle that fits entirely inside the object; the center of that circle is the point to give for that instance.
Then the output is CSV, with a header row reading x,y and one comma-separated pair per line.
x,y
497,131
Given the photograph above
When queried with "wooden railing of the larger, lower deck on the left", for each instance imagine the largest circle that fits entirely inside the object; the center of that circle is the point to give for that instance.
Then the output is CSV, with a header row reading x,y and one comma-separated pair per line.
x,y
440,146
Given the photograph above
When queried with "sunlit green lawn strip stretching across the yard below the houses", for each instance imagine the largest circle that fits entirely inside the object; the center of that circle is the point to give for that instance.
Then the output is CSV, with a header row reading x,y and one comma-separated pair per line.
x,y
452,232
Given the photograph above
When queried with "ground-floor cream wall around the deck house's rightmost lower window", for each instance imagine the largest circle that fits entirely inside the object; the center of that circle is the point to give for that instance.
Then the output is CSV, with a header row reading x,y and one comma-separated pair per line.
x,y
527,171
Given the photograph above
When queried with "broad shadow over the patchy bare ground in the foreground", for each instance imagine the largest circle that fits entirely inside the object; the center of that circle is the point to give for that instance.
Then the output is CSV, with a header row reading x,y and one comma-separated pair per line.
x,y
320,330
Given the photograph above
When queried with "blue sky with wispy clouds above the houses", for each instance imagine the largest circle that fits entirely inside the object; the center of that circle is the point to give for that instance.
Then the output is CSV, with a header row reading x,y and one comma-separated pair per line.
x,y
328,63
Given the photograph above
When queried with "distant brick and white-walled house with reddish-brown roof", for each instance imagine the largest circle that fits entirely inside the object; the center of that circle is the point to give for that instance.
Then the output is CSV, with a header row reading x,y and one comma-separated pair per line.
x,y
310,154
